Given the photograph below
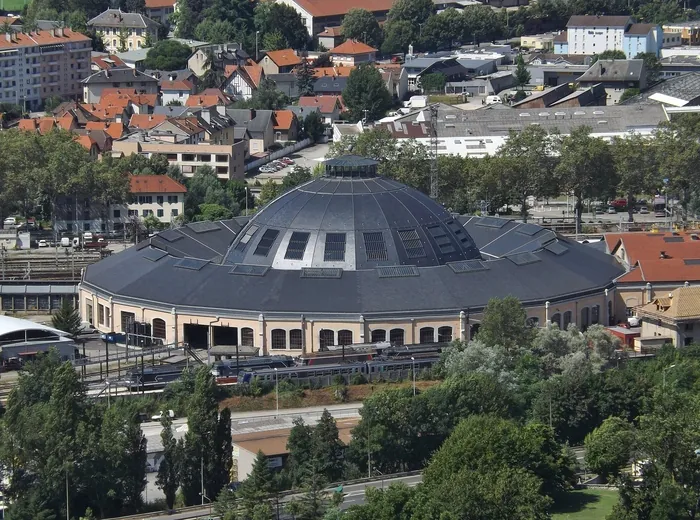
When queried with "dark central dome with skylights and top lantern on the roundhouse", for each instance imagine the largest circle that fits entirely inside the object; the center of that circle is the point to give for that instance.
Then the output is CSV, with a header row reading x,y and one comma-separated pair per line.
x,y
353,220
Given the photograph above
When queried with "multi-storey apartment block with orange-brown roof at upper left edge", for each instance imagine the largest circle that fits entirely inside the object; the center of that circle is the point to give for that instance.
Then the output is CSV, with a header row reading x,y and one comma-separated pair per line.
x,y
42,64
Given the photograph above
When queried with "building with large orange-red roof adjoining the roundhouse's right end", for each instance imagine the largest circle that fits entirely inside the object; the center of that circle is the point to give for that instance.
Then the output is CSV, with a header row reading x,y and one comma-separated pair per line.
x,y
656,263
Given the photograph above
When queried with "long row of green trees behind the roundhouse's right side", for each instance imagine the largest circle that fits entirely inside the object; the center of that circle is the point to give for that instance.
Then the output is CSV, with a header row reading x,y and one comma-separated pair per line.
x,y
534,163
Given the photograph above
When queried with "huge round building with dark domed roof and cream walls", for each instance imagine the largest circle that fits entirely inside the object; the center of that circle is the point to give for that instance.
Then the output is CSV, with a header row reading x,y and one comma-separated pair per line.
x,y
347,258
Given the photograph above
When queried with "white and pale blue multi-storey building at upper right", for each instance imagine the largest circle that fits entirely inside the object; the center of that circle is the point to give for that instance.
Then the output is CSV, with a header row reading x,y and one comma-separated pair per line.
x,y
591,34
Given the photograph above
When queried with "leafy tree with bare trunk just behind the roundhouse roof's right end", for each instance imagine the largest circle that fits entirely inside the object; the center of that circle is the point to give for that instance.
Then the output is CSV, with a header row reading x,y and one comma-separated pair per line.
x,y
585,168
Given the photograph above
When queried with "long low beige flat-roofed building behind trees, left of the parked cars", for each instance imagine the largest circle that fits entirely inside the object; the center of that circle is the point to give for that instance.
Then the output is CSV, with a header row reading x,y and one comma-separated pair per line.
x,y
226,160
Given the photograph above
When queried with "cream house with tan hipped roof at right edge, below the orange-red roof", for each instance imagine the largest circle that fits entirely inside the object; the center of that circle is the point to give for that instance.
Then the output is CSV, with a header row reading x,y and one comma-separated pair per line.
x,y
670,319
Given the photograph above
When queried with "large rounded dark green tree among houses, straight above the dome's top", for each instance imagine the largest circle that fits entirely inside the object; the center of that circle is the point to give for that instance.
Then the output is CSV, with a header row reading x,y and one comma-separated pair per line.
x,y
365,94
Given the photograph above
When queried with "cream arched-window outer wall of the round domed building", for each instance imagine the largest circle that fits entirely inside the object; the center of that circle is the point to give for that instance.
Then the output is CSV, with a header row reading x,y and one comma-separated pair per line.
x,y
266,332
